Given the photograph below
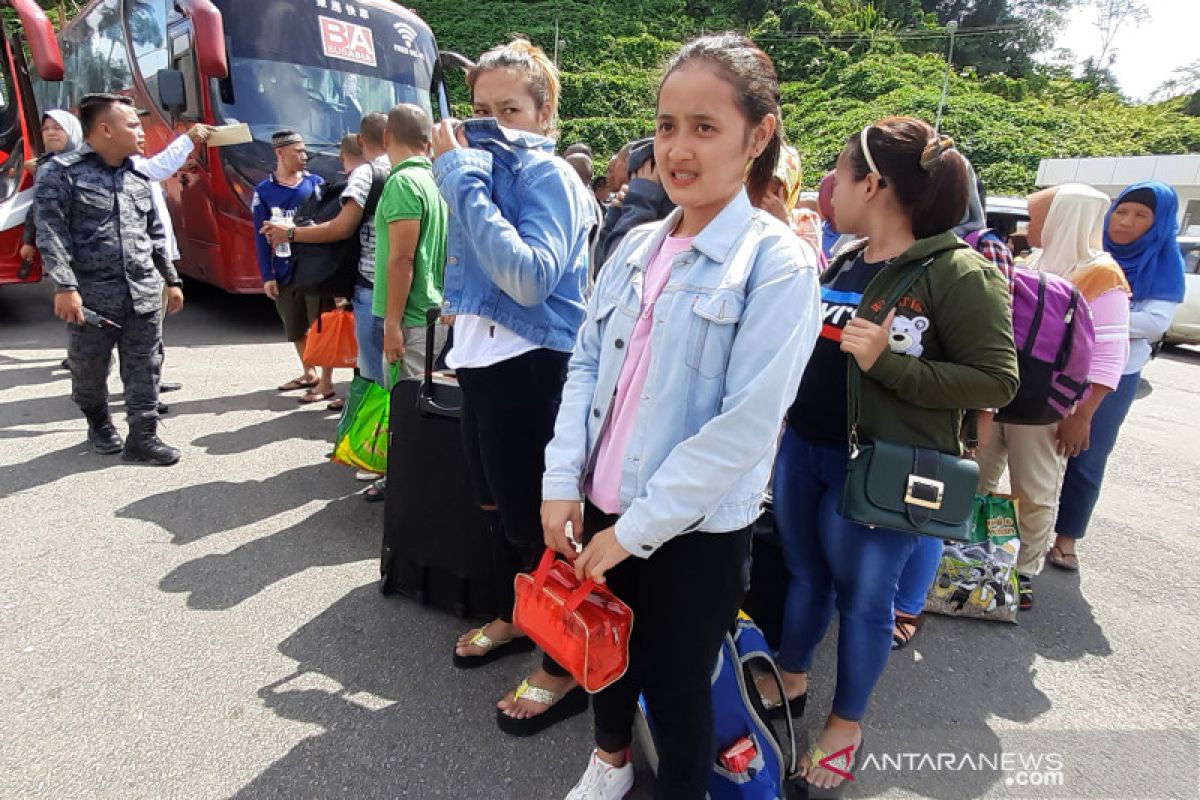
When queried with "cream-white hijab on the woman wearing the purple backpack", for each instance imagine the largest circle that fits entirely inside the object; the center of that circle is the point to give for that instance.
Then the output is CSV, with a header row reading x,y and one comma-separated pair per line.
x,y
1073,230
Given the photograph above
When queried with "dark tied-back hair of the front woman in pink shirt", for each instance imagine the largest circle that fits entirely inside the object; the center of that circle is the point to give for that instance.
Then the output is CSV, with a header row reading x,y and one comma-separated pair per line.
x,y
752,75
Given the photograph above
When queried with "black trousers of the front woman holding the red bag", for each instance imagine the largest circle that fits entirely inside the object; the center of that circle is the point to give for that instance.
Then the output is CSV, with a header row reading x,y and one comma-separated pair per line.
x,y
685,599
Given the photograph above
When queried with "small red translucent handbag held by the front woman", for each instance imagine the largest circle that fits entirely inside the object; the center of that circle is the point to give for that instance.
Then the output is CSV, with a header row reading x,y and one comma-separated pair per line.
x,y
581,625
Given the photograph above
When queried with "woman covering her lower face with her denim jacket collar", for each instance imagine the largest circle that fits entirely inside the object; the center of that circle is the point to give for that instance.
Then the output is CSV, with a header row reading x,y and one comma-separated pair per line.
x,y
515,278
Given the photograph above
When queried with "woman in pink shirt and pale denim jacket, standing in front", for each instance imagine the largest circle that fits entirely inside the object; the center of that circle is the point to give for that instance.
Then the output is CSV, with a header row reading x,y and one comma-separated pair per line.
x,y
697,338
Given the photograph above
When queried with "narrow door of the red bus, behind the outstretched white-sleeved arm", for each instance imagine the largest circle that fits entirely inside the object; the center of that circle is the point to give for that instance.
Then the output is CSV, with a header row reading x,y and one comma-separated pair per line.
x,y
196,225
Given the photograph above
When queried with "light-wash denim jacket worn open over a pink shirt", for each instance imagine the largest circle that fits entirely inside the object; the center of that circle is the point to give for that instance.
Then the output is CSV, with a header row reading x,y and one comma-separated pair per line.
x,y
733,333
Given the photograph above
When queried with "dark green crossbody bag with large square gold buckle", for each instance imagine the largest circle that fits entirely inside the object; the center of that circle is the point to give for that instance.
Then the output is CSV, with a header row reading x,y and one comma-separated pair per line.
x,y
905,488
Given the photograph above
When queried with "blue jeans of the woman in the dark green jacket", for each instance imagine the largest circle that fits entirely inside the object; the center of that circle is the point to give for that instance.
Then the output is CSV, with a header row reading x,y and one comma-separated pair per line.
x,y
835,562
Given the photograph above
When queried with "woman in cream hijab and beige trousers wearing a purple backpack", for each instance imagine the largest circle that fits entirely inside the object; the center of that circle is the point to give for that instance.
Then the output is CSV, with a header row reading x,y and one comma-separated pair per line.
x,y
1066,225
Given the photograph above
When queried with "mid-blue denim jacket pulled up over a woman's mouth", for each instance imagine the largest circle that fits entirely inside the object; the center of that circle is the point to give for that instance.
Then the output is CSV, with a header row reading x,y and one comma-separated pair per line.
x,y
518,246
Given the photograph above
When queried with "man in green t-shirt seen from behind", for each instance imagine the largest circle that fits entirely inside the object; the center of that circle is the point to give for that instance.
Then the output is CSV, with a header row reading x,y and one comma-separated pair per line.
x,y
411,243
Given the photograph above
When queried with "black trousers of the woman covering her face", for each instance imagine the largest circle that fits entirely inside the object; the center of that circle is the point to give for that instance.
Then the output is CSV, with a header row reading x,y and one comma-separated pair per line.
x,y
508,419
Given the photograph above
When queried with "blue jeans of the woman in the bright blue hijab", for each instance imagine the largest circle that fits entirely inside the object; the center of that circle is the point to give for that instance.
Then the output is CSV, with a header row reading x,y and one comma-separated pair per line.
x,y
1085,472
